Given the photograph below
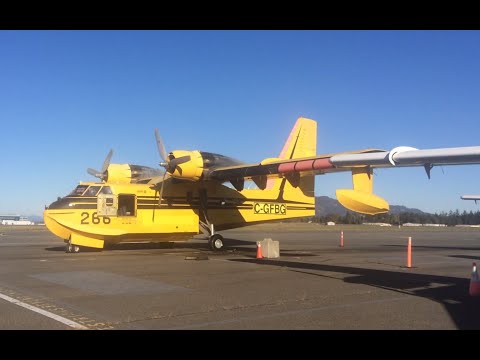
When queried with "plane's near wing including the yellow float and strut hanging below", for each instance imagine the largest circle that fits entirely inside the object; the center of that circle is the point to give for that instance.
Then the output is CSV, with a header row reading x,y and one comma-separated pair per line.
x,y
361,163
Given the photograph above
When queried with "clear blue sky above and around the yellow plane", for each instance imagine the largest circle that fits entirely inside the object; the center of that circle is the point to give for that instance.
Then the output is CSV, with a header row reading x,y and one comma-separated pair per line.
x,y
67,97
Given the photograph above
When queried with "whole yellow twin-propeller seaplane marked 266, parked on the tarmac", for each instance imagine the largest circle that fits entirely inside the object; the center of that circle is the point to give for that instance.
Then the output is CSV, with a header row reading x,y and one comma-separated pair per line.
x,y
204,192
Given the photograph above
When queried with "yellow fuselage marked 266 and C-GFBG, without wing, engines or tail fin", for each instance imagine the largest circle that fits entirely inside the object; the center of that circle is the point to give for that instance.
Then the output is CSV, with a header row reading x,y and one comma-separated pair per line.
x,y
98,213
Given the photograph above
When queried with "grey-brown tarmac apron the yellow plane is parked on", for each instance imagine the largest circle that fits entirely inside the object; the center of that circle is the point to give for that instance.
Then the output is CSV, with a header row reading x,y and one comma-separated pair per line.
x,y
314,285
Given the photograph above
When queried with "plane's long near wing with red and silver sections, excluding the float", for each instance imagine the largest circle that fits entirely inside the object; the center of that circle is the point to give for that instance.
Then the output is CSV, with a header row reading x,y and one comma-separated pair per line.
x,y
347,161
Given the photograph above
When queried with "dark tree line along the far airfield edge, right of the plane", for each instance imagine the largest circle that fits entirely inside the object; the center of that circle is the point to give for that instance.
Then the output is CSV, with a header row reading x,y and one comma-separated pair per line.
x,y
451,218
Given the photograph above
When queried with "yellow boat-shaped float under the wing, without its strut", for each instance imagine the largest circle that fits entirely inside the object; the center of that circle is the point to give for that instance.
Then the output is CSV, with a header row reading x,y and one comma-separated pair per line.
x,y
362,202
